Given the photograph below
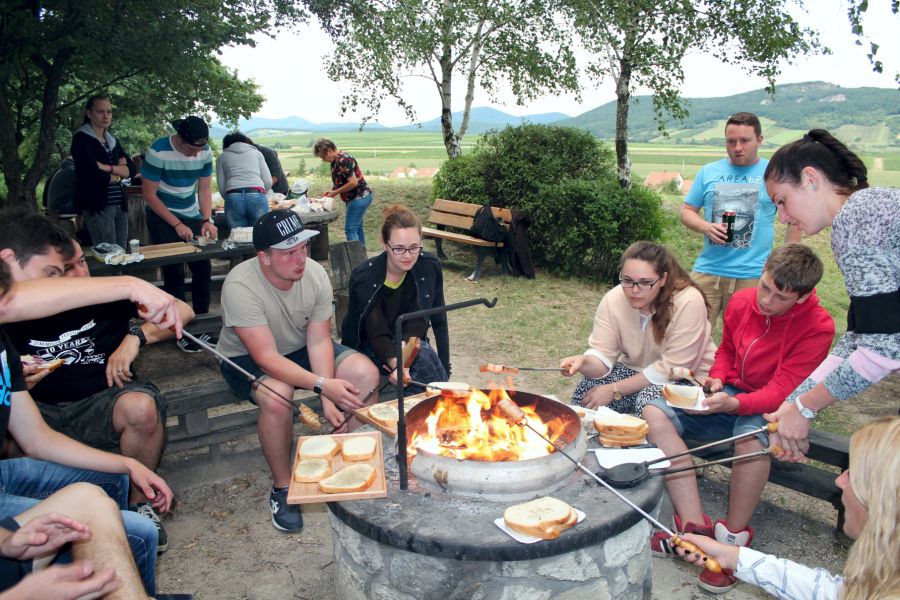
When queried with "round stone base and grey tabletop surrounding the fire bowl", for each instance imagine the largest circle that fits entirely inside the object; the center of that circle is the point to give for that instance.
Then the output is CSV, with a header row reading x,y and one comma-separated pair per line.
x,y
425,544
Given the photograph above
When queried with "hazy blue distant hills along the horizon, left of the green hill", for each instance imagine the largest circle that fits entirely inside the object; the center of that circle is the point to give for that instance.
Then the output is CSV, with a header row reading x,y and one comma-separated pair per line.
x,y
480,120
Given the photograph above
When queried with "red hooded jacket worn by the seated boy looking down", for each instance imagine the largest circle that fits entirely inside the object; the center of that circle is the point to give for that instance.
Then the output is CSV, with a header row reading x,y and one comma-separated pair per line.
x,y
768,357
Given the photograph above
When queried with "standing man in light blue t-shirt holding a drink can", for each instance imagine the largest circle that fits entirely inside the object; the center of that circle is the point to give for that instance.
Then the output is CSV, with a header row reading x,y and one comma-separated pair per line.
x,y
733,184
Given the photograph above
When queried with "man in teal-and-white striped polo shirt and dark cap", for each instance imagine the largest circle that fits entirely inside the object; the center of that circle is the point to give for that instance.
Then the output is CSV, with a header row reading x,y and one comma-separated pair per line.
x,y
177,173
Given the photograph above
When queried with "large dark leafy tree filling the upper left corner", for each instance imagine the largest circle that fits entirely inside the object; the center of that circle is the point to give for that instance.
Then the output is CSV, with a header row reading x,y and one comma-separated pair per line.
x,y
156,58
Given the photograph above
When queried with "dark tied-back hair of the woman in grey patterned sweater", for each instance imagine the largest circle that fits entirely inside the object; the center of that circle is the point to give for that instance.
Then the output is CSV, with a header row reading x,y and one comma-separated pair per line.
x,y
822,151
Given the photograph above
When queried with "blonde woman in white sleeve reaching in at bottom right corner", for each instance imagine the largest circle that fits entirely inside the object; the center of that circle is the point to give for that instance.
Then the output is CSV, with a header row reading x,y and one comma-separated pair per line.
x,y
871,497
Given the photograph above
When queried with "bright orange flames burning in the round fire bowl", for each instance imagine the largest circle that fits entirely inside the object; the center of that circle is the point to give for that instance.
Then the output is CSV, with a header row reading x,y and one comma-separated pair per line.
x,y
474,428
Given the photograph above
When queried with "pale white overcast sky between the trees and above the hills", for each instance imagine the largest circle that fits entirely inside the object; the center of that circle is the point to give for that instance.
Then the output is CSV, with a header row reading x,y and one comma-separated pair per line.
x,y
290,72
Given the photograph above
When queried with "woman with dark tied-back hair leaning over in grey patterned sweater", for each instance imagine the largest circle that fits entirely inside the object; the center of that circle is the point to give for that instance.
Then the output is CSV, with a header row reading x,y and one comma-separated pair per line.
x,y
817,182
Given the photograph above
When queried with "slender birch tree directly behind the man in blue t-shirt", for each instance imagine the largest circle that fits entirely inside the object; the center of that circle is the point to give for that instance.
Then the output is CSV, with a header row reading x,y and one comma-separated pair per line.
x,y
643,43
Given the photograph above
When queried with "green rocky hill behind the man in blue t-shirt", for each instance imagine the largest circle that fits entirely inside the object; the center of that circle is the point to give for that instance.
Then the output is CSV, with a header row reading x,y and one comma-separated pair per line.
x,y
863,117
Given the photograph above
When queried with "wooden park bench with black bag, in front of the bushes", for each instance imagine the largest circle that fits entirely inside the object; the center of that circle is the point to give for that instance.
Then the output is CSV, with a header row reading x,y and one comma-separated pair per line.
x,y
461,216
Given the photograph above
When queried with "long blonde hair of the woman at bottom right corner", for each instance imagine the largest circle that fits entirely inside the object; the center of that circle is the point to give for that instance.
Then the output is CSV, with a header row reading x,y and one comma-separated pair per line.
x,y
872,571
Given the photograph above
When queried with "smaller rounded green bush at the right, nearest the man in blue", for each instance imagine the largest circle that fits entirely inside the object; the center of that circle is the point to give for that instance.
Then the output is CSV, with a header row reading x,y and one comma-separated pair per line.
x,y
581,227
